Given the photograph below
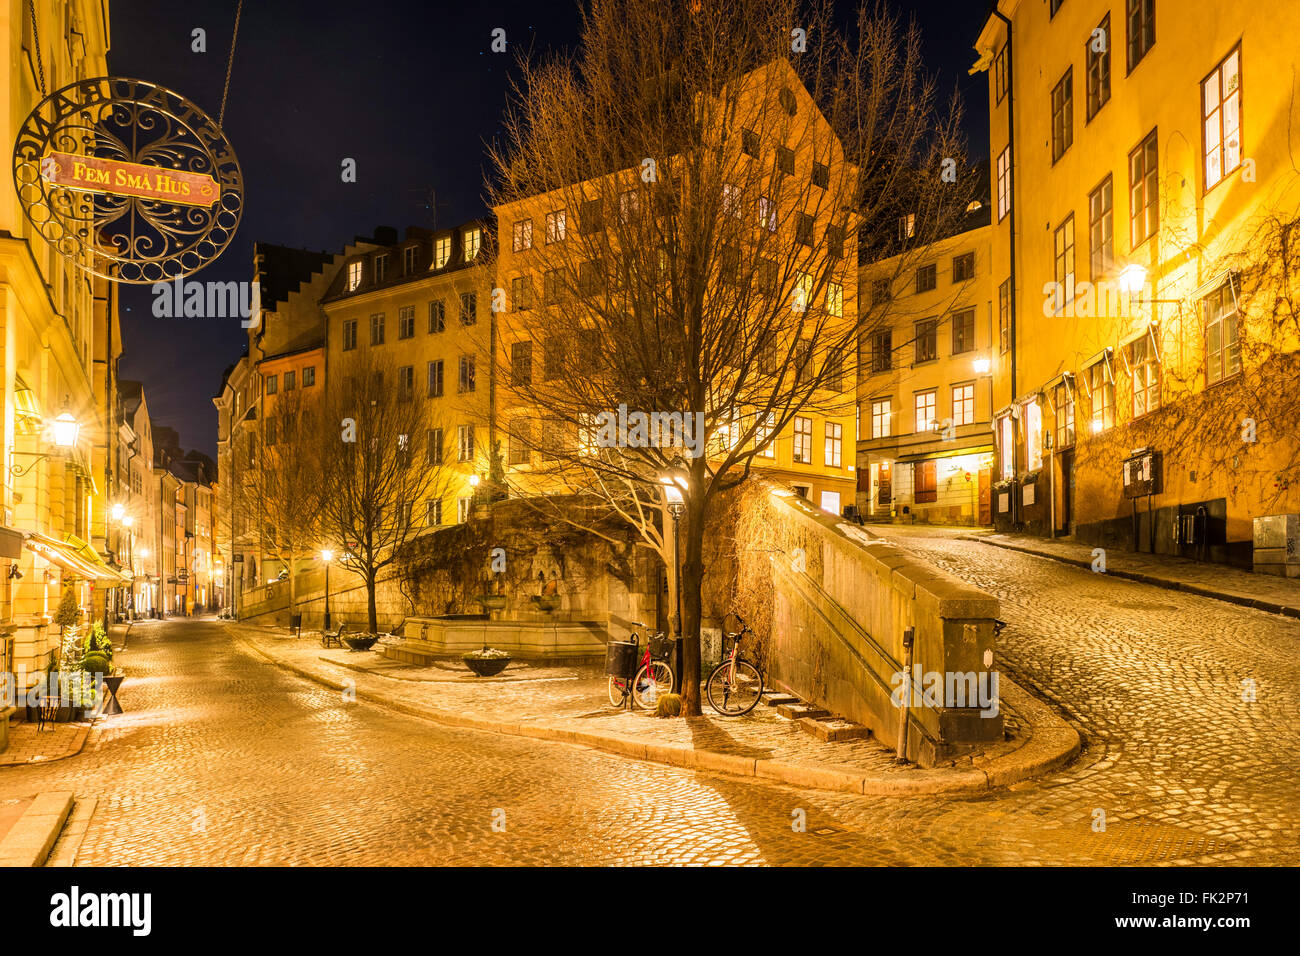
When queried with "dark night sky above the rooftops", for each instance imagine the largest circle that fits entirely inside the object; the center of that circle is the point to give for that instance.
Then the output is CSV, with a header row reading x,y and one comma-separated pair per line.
x,y
409,89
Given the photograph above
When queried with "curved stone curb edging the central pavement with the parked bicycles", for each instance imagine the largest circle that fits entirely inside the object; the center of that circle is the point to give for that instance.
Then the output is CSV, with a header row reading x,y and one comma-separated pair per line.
x,y
1047,750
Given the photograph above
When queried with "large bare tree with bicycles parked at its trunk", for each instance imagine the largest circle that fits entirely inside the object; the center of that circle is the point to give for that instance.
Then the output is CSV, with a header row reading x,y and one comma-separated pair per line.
x,y
718,167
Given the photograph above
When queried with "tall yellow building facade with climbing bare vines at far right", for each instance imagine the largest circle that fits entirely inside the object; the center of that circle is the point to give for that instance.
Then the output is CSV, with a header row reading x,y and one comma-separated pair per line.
x,y
1142,175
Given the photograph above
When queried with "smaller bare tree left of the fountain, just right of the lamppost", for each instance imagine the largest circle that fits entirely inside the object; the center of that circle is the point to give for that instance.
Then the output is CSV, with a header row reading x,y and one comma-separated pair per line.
x,y
382,461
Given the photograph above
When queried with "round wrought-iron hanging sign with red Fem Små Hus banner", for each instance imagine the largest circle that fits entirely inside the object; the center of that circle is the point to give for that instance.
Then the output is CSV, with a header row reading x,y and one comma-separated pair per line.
x,y
128,180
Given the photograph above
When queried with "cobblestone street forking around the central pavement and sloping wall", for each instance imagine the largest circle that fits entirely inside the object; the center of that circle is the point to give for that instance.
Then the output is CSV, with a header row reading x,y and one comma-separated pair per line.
x,y
227,759
